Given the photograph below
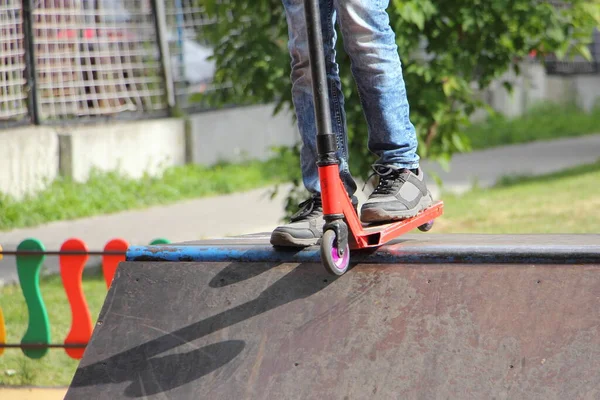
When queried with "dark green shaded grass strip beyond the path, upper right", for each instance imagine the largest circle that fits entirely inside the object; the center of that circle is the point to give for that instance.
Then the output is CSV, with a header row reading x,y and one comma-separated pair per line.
x,y
542,122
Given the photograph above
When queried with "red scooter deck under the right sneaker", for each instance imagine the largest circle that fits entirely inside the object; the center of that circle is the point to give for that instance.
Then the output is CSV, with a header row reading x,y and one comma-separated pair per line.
x,y
375,235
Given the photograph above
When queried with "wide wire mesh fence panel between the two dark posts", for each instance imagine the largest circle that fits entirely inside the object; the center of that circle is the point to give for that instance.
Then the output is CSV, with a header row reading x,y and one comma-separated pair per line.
x,y
96,57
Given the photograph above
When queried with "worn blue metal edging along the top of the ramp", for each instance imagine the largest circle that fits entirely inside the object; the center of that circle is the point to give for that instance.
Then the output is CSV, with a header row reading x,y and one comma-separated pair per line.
x,y
409,254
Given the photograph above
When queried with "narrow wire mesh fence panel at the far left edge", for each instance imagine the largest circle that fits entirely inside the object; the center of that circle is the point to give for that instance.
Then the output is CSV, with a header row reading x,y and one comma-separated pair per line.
x,y
13,94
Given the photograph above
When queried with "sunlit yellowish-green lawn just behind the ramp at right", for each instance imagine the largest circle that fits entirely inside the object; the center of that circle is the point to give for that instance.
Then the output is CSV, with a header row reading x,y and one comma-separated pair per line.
x,y
564,202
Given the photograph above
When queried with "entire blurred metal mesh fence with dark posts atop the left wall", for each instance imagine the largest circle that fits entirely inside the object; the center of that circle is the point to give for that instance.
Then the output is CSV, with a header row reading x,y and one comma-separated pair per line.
x,y
66,60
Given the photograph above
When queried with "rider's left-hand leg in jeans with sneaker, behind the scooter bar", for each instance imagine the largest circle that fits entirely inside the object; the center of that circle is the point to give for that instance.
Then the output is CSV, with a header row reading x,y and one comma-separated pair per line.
x,y
306,227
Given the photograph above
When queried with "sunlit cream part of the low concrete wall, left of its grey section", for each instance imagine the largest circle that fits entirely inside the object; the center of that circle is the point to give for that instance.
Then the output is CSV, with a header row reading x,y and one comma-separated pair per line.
x,y
32,157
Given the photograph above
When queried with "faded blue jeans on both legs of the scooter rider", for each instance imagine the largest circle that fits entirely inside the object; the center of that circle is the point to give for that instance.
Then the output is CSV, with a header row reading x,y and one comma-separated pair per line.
x,y
370,43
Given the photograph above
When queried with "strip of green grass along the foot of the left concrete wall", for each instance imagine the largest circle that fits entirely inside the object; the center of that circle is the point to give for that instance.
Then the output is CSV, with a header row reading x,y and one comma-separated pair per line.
x,y
110,192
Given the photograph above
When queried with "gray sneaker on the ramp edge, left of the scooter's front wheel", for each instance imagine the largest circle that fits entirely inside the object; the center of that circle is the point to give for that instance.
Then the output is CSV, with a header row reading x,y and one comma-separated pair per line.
x,y
305,227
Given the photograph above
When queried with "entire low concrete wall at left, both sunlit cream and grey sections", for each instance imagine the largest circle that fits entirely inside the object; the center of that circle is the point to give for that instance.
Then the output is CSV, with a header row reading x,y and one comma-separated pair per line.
x,y
33,156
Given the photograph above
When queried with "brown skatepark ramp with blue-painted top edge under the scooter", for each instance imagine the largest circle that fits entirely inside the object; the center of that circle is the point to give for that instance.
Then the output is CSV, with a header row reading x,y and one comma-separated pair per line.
x,y
428,316
